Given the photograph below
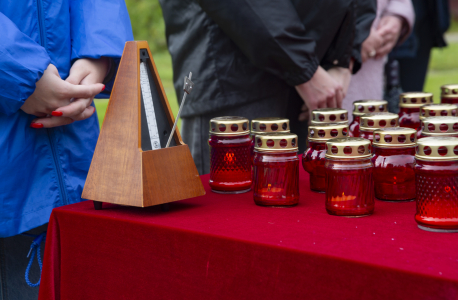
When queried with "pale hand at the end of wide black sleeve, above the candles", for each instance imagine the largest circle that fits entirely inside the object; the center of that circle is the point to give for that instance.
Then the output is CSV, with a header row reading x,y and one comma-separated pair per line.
x,y
320,91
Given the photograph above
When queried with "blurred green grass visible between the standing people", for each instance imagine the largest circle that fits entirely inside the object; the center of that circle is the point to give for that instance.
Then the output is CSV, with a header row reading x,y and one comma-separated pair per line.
x,y
148,24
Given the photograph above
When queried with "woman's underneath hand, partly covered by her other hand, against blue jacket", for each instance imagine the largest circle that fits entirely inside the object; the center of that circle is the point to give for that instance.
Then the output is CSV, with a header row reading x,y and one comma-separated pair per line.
x,y
84,72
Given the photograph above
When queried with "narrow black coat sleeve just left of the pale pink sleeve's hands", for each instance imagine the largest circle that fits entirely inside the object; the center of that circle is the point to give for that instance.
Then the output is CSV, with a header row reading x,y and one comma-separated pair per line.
x,y
366,11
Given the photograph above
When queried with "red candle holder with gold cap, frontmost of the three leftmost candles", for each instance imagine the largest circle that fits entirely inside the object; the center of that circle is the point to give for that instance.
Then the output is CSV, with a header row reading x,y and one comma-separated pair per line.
x,y
276,170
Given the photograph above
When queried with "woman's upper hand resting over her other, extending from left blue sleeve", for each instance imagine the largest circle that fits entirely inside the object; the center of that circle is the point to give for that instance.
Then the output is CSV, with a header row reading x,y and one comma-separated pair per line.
x,y
52,92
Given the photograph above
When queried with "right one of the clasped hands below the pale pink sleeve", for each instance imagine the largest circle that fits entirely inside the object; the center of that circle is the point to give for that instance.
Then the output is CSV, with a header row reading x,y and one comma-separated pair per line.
x,y
389,29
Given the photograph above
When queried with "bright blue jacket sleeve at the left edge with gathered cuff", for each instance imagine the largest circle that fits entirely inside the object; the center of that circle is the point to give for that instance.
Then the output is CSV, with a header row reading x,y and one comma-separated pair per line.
x,y
22,63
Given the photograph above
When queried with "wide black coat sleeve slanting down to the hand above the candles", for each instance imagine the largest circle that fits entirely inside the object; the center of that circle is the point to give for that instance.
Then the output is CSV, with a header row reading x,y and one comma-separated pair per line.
x,y
269,33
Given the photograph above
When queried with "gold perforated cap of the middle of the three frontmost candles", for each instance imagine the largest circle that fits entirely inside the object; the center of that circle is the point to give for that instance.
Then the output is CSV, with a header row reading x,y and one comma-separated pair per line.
x,y
348,148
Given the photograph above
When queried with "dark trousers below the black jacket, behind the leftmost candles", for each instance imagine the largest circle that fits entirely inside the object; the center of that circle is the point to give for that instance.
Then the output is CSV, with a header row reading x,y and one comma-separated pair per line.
x,y
195,130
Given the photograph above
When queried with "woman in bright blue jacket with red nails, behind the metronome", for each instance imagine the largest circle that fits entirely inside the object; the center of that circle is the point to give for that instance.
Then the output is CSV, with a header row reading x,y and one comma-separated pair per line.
x,y
55,57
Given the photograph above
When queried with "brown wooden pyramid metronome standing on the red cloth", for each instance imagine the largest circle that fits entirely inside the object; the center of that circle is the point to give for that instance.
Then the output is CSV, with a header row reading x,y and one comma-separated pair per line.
x,y
131,163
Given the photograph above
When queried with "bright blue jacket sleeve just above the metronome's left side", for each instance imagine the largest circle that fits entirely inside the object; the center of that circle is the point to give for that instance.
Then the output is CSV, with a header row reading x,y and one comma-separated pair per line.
x,y
99,28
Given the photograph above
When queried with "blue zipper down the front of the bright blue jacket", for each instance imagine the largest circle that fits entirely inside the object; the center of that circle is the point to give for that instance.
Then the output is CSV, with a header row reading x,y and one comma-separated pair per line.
x,y
63,191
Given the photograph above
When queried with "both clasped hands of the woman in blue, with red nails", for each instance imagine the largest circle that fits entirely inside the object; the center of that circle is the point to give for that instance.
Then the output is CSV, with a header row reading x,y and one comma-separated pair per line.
x,y
58,102
